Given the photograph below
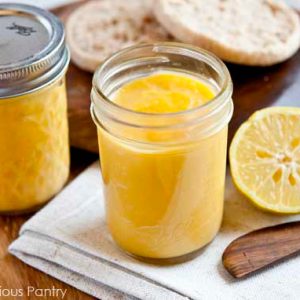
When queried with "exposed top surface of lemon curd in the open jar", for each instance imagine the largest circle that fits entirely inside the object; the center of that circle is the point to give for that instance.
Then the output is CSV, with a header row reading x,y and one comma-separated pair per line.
x,y
164,93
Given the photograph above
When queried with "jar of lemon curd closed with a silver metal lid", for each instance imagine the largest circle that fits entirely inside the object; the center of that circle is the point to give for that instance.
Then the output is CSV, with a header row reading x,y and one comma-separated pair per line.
x,y
34,146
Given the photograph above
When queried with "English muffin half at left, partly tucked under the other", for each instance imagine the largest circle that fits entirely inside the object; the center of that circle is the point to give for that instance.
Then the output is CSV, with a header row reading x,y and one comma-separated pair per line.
x,y
99,28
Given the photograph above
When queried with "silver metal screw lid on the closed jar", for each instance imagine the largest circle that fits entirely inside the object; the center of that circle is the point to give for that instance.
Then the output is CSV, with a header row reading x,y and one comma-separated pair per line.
x,y
32,49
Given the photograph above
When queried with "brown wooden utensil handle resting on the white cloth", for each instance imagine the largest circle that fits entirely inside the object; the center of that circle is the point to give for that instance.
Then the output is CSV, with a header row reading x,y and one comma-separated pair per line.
x,y
260,248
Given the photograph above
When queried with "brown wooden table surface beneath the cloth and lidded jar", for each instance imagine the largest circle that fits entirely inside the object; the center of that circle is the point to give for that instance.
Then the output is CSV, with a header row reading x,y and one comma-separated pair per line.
x,y
14,274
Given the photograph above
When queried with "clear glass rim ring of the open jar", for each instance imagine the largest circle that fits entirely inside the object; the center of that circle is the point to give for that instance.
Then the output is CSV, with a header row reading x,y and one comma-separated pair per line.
x,y
224,92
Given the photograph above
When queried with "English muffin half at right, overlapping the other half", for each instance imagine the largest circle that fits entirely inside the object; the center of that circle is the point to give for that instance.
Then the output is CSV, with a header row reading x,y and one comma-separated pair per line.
x,y
250,32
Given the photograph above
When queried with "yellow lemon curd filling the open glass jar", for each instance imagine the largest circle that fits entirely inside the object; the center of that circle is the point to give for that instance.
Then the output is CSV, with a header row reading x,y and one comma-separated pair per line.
x,y
168,201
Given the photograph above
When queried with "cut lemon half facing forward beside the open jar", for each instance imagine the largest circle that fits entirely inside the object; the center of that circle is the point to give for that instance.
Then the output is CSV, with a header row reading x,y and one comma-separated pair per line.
x,y
265,159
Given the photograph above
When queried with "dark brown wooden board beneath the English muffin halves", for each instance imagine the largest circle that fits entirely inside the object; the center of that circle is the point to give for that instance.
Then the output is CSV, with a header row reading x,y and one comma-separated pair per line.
x,y
254,88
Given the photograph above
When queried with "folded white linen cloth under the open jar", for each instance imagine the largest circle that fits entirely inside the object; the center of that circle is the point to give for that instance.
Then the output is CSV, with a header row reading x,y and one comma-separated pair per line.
x,y
68,240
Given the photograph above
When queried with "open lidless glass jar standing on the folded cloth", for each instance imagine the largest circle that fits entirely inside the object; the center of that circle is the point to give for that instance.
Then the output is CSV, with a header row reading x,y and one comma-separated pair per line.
x,y
163,173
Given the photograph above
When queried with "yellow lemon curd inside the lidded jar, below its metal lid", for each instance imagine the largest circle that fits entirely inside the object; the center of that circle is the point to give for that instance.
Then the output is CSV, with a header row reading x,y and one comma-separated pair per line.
x,y
34,148
